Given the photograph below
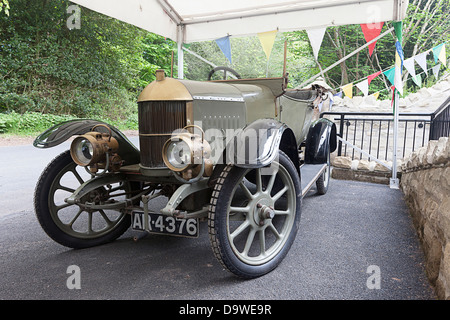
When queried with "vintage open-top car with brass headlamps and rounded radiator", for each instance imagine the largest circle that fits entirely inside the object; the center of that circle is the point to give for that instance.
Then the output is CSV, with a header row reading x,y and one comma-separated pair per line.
x,y
239,153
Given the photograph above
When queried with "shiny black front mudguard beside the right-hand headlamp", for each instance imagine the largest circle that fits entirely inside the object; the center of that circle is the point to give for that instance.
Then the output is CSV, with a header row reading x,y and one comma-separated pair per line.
x,y
257,144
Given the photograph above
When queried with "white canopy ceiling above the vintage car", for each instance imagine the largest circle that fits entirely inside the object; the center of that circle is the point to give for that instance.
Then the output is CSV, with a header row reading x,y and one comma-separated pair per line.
x,y
188,21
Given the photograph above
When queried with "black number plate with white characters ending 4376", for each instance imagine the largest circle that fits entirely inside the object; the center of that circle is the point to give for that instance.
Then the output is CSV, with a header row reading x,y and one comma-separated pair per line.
x,y
161,224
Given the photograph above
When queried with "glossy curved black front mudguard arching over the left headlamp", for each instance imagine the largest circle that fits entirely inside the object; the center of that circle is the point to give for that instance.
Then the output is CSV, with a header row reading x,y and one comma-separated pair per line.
x,y
63,131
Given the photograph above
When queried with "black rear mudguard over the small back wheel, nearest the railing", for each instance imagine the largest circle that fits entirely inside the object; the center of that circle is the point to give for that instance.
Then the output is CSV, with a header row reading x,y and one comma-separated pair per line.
x,y
320,141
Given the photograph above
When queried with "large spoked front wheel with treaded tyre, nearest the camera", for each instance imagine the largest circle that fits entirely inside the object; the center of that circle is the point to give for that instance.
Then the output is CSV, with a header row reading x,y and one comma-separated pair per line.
x,y
252,227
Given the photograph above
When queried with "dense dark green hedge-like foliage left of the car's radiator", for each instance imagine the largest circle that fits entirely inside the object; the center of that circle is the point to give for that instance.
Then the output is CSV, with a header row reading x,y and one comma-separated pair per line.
x,y
47,68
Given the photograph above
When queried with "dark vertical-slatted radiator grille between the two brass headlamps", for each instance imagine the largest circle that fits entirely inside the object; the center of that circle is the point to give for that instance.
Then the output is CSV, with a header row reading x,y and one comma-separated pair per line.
x,y
157,121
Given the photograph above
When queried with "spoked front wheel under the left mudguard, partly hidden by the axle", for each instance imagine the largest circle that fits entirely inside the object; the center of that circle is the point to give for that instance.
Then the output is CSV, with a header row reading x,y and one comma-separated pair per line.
x,y
71,225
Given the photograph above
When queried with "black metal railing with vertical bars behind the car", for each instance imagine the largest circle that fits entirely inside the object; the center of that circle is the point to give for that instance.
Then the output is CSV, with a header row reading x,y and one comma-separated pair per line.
x,y
372,132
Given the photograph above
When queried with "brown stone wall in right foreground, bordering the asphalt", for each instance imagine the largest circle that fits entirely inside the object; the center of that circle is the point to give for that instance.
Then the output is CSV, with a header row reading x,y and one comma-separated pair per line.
x,y
425,183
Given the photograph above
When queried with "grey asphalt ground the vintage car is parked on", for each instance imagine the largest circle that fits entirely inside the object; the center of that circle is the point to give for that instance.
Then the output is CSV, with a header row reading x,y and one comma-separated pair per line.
x,y
344,236
